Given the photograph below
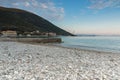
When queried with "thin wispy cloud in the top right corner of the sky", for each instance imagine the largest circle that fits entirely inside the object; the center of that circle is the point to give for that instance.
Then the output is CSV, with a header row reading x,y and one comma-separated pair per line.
x,y
101,4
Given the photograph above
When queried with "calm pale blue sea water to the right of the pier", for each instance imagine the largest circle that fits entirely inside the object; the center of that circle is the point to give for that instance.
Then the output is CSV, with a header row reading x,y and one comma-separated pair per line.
x,y
99,43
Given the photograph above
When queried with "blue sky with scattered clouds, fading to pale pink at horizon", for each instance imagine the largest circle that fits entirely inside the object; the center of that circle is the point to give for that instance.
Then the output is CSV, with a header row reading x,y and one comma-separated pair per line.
x,y
75,16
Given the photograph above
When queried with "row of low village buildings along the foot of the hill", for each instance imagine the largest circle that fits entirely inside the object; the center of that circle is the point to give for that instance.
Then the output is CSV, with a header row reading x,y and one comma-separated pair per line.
x,y
37,33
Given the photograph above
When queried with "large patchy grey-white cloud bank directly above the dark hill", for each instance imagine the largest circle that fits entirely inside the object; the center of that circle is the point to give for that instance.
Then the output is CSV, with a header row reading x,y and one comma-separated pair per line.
x,y
44,8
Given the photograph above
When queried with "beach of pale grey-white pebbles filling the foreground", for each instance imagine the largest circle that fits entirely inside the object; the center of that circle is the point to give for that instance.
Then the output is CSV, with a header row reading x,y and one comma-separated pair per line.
x,y
23,61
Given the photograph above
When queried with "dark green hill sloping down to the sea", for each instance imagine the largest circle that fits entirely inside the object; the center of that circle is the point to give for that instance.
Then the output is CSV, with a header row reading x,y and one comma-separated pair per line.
x,y
24,21
